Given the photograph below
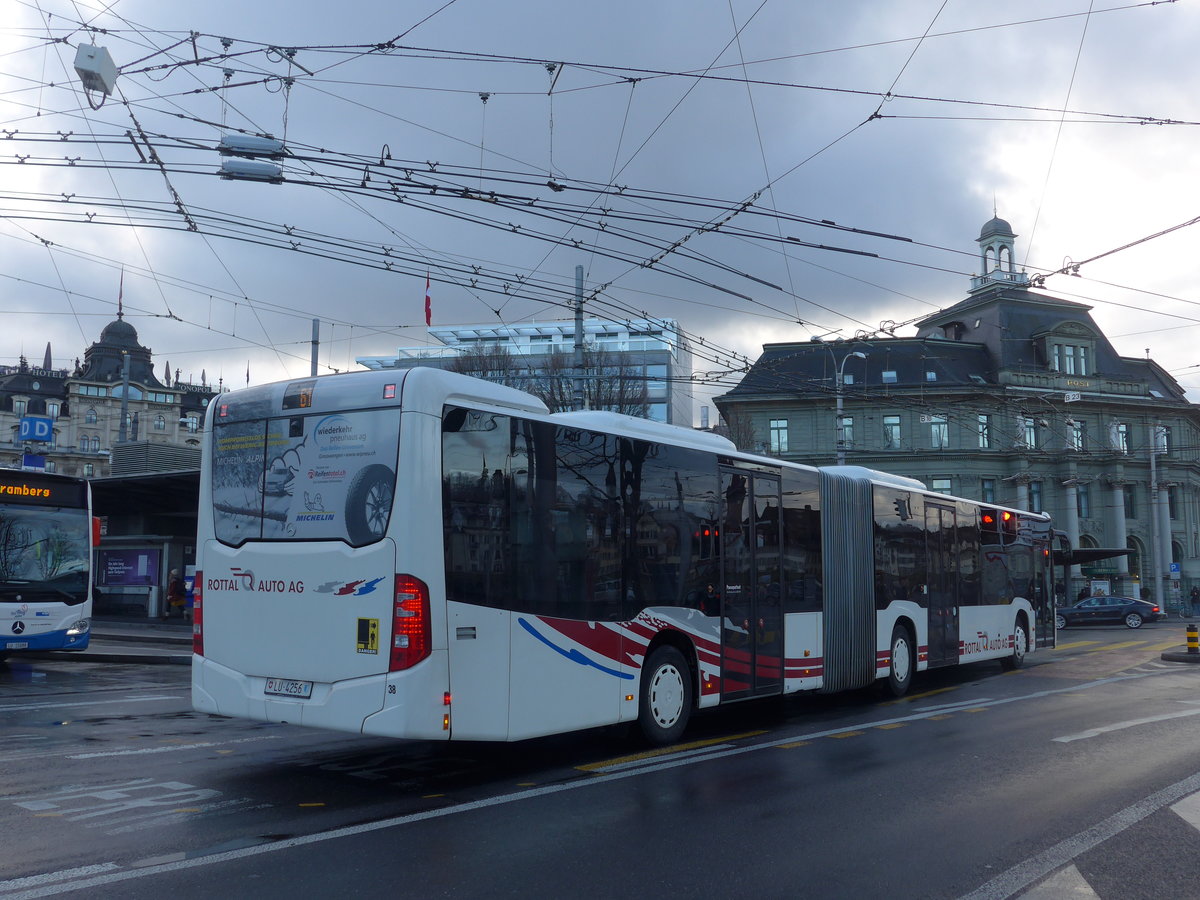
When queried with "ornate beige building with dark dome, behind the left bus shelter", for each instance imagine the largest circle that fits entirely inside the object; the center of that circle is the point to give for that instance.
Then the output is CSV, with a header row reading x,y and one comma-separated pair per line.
x,y
104,416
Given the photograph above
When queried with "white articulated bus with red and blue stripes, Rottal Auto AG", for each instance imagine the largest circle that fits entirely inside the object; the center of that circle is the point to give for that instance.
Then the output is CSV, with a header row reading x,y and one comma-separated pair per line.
x,y
423,555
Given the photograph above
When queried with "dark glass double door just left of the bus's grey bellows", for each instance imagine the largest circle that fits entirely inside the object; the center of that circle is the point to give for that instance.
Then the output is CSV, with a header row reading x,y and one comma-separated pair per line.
x,y
752,597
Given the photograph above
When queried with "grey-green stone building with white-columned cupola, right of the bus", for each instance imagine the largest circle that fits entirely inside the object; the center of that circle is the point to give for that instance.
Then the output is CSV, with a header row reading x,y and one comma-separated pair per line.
x,y
1011,397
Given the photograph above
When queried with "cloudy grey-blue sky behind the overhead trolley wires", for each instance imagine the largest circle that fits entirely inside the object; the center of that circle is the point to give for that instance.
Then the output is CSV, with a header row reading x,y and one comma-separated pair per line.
x,y
692,155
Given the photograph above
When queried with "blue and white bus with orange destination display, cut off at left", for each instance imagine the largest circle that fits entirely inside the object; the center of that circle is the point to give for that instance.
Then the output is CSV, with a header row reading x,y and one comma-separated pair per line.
x,y
47,536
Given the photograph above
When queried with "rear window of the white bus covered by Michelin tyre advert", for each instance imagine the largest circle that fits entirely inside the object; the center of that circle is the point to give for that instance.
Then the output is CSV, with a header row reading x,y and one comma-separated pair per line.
x,y
305,477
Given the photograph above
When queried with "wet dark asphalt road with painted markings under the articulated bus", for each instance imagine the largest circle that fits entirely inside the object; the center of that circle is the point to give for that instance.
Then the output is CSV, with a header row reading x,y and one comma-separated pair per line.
x,y
107,775
